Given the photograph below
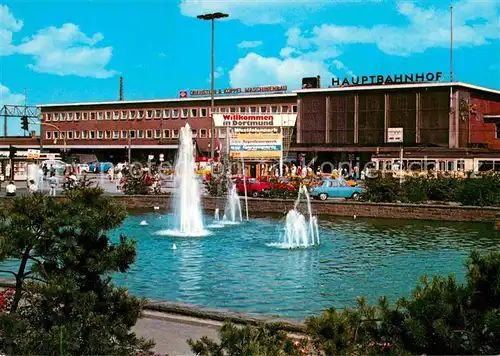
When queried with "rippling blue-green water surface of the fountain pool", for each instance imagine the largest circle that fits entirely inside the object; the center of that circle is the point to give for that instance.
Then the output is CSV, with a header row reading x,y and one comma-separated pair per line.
x,y
233,268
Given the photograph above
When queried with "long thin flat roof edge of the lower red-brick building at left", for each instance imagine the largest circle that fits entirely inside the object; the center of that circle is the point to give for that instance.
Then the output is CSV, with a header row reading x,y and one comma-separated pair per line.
x,y
153,101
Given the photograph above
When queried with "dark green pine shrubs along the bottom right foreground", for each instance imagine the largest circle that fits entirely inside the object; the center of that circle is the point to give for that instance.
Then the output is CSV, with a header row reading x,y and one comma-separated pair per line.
x,y
442,317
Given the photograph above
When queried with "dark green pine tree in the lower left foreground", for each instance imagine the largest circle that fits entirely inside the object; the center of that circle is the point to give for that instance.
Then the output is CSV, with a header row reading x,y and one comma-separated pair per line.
x,y
63,246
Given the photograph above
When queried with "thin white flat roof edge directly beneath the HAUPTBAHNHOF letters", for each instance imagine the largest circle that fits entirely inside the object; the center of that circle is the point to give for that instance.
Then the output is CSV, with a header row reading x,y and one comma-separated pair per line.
x,y
396,86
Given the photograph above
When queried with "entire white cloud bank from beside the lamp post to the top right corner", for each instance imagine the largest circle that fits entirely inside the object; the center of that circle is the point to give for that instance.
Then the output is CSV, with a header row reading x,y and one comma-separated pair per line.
x,y
316,52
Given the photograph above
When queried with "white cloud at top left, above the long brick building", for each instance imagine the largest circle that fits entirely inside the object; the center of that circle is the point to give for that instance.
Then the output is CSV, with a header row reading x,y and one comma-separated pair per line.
x,y
64,50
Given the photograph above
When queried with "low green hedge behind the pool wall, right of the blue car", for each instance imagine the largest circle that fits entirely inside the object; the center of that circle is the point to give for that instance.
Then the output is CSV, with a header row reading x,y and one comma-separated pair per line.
x,y
479,191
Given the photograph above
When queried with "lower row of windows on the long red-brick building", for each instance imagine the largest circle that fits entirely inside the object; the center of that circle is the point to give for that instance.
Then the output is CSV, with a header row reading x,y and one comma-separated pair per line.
x,y
133,134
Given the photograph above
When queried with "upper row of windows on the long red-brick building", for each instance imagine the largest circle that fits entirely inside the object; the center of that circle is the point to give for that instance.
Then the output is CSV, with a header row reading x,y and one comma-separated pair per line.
x,y
165,113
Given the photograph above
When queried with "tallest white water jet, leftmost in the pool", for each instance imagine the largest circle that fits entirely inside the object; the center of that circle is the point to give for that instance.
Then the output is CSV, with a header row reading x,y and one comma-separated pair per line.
x,y
188,214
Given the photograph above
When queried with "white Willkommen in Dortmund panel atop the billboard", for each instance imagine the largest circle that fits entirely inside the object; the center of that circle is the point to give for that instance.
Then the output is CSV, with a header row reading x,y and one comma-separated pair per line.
x,y
255,120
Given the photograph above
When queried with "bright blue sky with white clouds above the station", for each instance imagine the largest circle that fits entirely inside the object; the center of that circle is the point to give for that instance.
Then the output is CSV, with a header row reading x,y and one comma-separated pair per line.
x,y
72,51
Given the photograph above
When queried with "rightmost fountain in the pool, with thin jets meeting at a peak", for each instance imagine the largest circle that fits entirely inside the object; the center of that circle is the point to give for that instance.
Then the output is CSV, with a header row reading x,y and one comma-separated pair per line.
x,y
300,232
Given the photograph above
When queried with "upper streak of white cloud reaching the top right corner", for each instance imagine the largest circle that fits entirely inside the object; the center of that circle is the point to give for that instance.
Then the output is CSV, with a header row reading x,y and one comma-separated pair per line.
x,y
475,23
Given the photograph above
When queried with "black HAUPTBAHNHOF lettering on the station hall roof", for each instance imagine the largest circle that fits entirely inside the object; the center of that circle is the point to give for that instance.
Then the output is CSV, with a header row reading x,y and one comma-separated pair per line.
x,y
389,79
